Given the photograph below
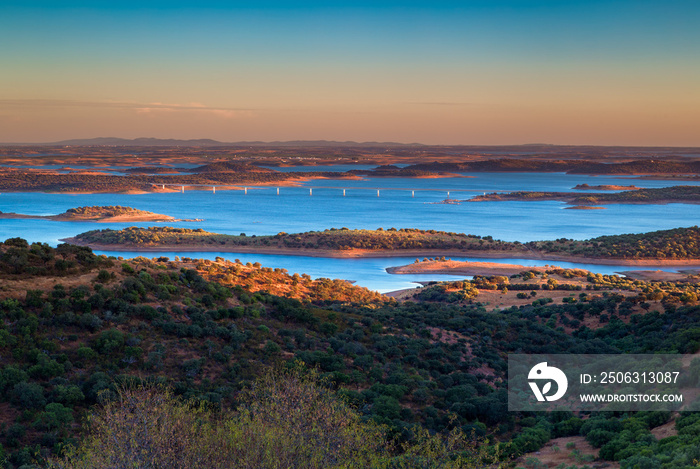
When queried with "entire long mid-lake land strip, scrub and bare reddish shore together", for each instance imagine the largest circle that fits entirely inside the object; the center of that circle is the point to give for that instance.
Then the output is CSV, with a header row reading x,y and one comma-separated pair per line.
x,y
679,246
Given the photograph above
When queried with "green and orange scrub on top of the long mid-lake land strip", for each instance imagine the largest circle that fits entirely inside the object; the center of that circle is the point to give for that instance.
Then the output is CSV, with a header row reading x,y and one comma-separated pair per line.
x,y
675,244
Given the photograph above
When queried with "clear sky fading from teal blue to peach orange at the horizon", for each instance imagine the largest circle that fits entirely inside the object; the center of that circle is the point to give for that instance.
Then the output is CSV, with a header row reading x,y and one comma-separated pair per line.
x,y
486,72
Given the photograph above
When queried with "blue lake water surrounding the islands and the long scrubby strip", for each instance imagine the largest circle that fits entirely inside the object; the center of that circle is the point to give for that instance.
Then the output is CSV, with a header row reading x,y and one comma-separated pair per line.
x,y
262,212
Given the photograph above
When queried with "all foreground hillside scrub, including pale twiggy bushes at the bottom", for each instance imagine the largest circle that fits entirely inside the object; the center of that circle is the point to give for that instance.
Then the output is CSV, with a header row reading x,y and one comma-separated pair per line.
x,y
168,355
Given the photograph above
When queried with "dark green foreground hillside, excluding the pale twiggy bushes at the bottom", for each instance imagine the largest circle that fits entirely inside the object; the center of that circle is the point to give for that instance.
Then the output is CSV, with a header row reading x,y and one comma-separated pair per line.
x,y
76,327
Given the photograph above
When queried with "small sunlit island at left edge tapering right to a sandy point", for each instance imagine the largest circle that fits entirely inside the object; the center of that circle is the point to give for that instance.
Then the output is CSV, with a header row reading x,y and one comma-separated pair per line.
x,y
102,214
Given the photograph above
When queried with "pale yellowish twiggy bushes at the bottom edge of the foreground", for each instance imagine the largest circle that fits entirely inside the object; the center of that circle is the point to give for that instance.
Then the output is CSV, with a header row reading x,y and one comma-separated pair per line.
x,y
286,419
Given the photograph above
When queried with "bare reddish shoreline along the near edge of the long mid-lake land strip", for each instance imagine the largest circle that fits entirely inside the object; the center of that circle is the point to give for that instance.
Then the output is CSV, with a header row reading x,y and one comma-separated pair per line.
x,y
358,253
